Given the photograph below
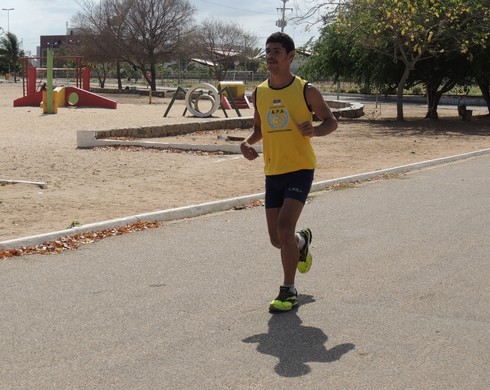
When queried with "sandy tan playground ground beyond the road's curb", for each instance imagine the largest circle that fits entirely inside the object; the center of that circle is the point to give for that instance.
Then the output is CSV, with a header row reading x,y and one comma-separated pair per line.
x,y
92,185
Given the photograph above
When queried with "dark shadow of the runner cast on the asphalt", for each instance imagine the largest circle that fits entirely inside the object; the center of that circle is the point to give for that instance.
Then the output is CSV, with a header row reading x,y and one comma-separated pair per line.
x,y
296,345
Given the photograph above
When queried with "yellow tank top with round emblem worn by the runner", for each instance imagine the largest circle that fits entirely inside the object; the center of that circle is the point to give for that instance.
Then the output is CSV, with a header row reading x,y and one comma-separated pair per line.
x,y
285,149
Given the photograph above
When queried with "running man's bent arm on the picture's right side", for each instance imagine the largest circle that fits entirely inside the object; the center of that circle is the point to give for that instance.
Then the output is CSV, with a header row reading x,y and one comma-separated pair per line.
x,y
318,105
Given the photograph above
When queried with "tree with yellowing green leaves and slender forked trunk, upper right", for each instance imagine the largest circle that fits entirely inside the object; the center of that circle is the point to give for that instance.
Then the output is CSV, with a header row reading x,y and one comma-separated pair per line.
x,y
414,30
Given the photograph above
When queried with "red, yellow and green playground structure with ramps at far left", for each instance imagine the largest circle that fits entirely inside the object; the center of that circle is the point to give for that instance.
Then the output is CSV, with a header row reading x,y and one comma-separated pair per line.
x,y
51,98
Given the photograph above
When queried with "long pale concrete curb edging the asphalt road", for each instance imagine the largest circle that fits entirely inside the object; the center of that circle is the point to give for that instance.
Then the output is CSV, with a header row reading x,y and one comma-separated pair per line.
x,y
221,205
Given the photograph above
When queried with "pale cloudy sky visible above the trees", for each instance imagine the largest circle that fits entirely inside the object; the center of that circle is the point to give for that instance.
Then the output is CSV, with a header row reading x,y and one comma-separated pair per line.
x,y
32,18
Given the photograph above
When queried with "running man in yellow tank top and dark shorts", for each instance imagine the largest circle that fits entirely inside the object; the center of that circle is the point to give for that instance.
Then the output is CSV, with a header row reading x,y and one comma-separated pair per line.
x,y
283,120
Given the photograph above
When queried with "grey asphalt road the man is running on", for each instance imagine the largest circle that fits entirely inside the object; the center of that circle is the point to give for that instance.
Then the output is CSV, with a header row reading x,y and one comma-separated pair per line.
x,y
398,298
